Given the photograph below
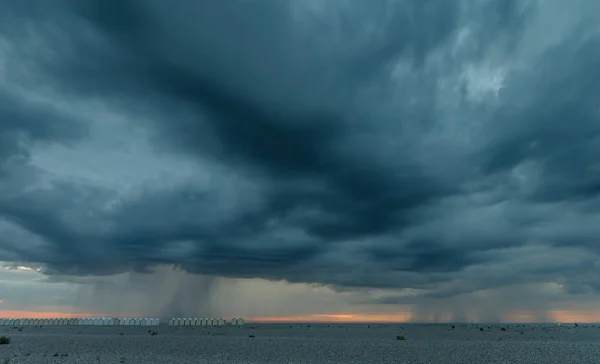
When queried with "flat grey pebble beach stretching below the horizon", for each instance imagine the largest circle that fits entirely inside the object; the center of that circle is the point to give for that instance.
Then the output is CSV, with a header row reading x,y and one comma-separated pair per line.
x,y
283,344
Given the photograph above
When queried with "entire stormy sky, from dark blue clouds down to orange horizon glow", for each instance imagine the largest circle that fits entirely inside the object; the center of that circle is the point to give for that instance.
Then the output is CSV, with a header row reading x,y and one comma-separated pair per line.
x,y
422,160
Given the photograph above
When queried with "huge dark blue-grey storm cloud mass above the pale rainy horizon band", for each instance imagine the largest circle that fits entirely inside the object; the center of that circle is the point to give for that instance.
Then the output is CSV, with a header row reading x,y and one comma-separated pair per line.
x,y
370,171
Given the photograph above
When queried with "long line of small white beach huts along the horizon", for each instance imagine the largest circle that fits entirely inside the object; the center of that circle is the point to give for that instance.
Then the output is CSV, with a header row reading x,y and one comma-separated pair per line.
x,y
111,321
